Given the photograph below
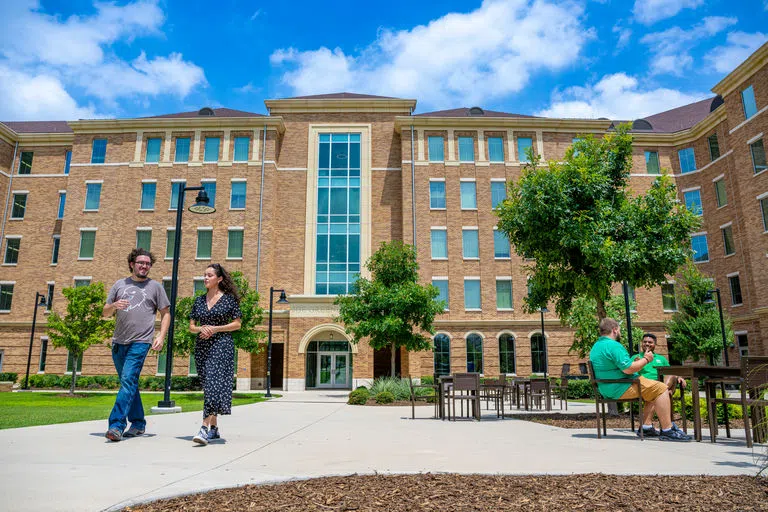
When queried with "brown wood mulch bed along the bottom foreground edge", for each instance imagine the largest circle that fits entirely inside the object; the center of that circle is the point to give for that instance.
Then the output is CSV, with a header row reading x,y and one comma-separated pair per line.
x,y
401,493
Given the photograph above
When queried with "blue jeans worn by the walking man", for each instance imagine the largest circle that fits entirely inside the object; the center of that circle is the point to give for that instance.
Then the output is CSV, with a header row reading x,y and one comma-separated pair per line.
x,y
129,360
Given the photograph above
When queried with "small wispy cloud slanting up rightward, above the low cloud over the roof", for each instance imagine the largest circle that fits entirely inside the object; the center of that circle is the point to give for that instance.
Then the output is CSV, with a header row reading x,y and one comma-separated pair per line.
x,y
671,47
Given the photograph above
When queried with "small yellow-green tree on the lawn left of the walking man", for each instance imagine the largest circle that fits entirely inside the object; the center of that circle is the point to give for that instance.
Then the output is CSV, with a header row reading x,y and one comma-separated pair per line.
x,y
83,324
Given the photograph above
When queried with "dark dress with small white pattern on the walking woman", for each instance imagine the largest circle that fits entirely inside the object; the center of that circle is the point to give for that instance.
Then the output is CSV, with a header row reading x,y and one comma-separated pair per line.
x,y
215,357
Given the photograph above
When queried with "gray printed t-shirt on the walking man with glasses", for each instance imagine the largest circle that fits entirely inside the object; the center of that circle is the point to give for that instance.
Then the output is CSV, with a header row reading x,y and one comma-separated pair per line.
x,y
136,324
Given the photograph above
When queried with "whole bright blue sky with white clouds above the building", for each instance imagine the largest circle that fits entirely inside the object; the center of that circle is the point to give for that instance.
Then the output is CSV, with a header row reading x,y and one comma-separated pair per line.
x,y
576,58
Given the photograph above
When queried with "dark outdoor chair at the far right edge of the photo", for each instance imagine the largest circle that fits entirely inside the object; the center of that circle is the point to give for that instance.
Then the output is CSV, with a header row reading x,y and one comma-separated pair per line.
x,y
753,383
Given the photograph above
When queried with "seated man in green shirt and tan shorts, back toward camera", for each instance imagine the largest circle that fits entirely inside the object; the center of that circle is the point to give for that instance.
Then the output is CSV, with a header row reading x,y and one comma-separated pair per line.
x,y
611,360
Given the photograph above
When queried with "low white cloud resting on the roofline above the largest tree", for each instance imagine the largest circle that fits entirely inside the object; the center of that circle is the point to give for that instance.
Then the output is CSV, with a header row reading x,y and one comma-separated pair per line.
x,y
616,96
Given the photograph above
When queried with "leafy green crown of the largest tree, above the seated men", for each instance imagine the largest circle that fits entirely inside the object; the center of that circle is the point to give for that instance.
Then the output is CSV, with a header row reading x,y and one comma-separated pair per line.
x,y
577,220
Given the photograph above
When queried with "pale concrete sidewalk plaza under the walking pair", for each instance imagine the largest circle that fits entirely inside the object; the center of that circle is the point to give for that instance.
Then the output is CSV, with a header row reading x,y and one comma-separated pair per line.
x,y
311,434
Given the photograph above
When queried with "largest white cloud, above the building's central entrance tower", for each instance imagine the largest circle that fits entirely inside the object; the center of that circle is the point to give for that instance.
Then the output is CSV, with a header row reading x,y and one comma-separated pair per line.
x,y
468,58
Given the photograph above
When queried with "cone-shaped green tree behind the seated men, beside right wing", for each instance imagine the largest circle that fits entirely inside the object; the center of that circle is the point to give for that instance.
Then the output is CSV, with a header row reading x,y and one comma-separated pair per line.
x,y
695,331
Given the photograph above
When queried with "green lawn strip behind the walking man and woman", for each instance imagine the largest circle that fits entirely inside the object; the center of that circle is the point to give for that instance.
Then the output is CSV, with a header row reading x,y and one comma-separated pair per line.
x,y
28,409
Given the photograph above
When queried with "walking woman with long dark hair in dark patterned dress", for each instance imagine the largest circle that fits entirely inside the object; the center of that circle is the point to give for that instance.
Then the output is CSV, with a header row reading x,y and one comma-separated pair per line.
x,y
214,316
